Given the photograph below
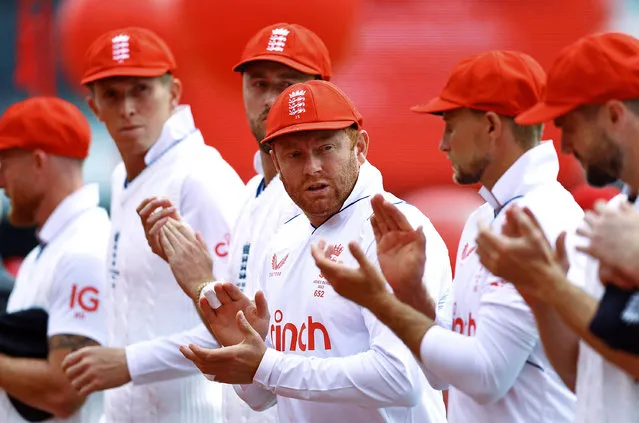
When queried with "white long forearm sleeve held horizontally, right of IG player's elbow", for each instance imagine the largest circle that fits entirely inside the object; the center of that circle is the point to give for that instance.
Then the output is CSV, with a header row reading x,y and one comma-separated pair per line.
x,y
160,359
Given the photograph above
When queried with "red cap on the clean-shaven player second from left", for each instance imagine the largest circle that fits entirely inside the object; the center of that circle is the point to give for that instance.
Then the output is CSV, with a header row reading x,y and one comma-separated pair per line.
x,y
127,52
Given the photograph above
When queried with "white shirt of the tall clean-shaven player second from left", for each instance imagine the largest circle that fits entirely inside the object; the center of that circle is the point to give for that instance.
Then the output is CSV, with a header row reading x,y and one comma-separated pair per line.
x,y
146,301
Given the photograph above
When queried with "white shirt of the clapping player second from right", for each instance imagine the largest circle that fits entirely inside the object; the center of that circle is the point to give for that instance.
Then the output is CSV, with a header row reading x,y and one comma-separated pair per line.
x,y
493,358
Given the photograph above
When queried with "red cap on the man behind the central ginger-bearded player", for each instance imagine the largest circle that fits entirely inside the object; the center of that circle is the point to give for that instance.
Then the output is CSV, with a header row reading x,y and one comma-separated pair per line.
x,y
291,45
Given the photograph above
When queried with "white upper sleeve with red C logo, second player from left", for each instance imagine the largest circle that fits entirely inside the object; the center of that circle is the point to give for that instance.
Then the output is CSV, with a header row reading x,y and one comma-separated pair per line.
x,y
212,209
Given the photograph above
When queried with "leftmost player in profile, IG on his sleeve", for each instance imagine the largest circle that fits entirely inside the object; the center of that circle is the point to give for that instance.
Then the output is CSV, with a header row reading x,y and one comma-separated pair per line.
x,y
43,144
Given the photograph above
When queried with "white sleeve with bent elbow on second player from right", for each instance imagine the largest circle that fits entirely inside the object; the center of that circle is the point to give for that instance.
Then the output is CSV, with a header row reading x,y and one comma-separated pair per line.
x,y
485,366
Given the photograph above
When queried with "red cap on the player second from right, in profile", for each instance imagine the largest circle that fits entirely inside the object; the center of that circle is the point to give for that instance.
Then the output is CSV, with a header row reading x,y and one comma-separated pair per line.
x,y
504,82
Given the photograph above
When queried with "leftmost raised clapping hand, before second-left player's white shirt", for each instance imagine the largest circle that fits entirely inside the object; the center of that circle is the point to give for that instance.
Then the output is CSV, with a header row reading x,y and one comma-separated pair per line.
x,y
154,213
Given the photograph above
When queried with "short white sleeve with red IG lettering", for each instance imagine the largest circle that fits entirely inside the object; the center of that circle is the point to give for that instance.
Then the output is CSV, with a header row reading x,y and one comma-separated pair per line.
x,y
75,301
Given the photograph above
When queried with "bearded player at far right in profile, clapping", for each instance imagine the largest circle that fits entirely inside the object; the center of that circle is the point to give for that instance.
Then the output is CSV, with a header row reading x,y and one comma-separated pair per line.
x,y
592,95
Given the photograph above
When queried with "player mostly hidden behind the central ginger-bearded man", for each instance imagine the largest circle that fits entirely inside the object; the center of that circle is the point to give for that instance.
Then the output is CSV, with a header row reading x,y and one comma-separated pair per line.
x,y
266,72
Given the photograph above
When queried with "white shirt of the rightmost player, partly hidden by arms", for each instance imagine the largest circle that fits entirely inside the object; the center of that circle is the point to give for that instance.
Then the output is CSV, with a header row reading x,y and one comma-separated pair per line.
x,y
605,393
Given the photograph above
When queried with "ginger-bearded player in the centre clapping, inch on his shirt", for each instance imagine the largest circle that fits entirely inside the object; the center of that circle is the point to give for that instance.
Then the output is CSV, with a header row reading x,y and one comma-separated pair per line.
x,y
325,358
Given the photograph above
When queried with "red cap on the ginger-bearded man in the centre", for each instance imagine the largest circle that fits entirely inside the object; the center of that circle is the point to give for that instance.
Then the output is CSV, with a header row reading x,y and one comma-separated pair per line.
x,y
310,106
